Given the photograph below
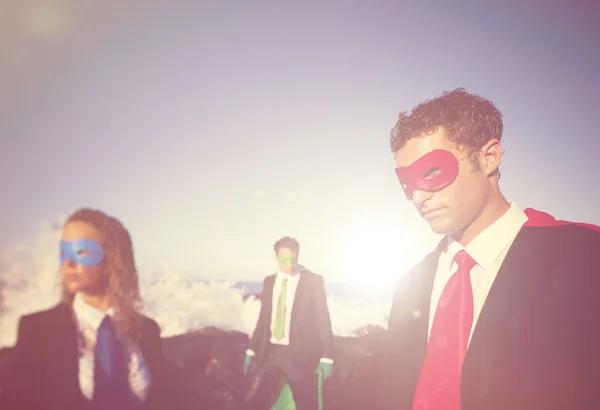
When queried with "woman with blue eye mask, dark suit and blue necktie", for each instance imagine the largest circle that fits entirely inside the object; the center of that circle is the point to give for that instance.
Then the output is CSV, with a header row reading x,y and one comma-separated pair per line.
x,y
94,350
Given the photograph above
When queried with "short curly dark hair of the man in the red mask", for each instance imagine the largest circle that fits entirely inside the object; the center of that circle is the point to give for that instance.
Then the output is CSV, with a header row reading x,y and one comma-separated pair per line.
x,y
469,120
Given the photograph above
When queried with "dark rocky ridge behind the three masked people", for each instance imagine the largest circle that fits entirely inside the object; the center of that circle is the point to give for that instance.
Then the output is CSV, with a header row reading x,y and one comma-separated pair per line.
x,y
204,370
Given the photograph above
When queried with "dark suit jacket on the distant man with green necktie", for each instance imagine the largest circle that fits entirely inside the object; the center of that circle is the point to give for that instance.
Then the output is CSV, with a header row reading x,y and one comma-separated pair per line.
x,y
311,336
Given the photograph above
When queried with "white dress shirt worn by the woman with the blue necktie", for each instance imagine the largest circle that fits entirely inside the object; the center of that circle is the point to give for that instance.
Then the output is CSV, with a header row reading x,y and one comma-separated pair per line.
x,y
88,321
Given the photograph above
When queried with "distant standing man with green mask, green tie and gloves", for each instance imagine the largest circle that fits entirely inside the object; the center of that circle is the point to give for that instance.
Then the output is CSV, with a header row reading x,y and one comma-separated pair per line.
x,y
293,339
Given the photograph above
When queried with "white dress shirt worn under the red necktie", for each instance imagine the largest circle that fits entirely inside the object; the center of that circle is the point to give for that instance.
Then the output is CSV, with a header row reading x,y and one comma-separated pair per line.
x,y
488,249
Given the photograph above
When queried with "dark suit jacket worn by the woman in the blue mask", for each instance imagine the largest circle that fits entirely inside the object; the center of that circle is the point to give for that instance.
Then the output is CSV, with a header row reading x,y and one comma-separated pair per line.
x,y
46,367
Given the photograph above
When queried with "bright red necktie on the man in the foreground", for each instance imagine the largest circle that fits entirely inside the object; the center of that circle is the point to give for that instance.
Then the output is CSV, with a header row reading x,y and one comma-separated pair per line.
x,y
439,382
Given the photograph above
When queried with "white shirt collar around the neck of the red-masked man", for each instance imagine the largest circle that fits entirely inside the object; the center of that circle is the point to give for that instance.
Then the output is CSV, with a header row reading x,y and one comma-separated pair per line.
x,y
492,241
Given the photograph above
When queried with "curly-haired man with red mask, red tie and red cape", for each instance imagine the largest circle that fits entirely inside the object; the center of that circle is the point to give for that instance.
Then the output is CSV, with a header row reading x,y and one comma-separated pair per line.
x,y
503,315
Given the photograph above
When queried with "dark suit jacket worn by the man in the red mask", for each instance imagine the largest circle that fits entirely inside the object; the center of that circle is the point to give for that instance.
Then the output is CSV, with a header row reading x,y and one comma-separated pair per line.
x,y
536,345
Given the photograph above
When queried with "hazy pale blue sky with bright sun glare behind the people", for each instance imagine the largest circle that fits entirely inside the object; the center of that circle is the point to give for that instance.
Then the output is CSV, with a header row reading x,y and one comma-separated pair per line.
x,y
213,128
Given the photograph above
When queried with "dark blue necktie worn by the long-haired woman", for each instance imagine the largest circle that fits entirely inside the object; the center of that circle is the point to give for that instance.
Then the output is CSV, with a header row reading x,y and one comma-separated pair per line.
x,y
111,386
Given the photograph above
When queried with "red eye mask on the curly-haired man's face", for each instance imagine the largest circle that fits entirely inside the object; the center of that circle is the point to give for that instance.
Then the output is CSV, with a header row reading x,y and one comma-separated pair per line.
x,y
432,172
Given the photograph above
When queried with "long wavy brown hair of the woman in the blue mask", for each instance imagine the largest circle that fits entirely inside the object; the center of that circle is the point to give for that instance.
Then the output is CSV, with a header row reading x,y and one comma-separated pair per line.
x,y
119,262
